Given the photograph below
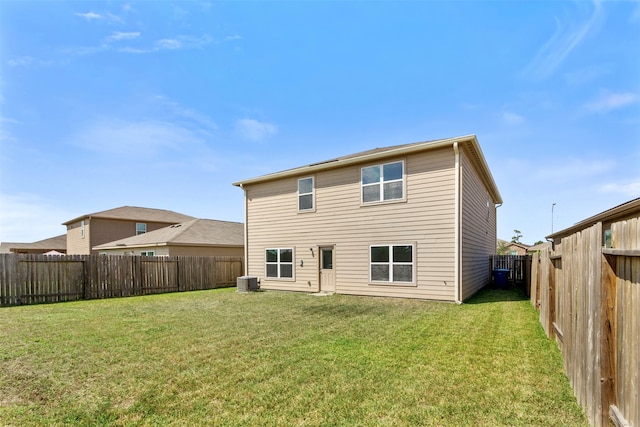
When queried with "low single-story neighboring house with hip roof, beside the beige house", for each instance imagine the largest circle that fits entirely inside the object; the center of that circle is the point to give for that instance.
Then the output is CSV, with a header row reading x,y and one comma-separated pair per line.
x,y
198,237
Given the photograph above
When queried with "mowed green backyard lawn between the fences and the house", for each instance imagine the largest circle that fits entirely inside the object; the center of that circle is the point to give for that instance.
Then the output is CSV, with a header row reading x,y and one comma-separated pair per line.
x,y
222,358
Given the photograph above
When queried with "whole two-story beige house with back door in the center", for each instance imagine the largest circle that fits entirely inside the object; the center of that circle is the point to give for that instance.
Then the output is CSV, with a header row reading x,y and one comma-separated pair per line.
x,y
415,220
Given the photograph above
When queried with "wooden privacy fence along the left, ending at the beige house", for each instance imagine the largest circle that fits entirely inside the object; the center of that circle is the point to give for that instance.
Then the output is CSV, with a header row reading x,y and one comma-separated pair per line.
x,y
33,279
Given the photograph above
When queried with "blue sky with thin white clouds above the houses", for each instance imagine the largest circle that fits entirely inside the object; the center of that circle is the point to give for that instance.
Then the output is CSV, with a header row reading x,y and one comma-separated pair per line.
x,y
165,104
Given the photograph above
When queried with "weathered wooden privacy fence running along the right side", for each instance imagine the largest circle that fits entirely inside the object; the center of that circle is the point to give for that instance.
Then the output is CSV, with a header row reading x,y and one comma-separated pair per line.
x,y
589,300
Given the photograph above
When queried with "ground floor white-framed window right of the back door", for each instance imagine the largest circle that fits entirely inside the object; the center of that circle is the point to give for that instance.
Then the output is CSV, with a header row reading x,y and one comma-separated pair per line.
x,y
392,263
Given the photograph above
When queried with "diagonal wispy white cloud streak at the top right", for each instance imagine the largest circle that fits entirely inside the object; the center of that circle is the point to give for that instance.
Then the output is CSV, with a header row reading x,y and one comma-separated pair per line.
x,y
567,37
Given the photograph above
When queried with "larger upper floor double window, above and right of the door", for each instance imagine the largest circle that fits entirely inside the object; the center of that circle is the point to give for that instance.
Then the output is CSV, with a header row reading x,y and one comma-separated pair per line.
x,y
383,182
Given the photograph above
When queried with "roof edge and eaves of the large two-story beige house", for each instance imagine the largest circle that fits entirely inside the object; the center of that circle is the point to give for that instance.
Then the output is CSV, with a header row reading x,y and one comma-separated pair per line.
x,y
470,141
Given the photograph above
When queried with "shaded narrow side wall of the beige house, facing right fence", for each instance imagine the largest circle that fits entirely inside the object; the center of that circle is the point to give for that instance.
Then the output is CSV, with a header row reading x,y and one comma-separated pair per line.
x,y
478,229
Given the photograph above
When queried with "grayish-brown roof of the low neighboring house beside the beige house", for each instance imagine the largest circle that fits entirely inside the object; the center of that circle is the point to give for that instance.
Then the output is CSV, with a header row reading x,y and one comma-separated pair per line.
x,y
197,232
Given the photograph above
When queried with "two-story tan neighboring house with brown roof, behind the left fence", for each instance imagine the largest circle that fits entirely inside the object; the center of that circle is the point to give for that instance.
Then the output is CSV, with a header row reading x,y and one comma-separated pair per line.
x,y
87,231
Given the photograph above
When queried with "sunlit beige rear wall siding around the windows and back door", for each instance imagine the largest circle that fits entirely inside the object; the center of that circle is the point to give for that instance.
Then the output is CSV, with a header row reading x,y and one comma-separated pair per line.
x,y
425,219
